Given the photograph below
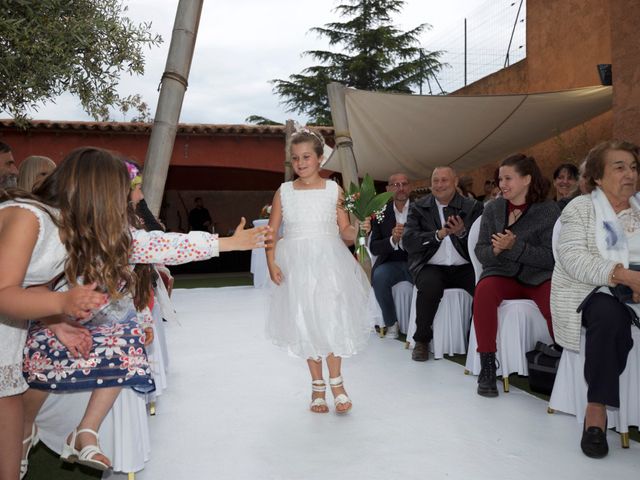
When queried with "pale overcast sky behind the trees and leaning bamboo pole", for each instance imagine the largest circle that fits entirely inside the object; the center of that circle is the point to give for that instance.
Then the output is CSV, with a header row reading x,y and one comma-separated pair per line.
x,y
241,45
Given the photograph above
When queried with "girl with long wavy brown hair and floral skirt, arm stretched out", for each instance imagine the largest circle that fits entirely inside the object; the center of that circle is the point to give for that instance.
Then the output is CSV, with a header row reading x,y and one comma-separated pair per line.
x,y
87,196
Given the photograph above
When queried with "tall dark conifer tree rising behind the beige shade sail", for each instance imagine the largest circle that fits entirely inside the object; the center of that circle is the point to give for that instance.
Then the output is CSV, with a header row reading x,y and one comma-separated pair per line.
x,y
374,55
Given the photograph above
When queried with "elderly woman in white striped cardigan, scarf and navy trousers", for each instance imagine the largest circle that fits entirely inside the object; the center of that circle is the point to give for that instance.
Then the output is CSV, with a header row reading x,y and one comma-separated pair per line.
x,y
599,241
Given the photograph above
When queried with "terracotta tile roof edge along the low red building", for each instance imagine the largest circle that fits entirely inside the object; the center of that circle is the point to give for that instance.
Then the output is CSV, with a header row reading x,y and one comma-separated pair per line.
x,y
183,128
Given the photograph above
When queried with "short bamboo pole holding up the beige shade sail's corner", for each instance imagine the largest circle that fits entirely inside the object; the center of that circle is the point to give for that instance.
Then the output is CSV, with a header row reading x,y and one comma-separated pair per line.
x,y
344,143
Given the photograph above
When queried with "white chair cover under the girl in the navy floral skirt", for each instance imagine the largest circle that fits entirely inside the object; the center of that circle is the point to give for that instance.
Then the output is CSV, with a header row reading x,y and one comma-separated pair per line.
x,y
124,435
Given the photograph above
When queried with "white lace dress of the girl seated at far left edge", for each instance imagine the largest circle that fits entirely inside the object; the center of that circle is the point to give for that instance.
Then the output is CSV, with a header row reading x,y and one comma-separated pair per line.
x,y
46,263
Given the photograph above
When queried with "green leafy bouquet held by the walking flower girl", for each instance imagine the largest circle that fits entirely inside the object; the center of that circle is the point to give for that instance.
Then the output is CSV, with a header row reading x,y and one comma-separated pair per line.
x,y
363,202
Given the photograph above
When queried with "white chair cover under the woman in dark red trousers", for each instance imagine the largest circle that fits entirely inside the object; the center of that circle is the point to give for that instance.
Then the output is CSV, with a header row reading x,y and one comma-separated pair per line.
x,y
520,326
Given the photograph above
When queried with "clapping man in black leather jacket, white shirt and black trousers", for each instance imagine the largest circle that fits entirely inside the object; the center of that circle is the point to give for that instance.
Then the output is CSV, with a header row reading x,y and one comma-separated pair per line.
x,y
435,237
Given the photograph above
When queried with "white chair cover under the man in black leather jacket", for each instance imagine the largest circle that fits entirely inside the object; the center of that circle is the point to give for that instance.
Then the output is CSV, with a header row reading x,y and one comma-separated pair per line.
x,y
450,325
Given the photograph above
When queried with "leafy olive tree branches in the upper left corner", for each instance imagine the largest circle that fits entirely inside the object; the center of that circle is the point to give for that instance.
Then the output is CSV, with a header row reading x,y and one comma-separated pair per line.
x,y
80,46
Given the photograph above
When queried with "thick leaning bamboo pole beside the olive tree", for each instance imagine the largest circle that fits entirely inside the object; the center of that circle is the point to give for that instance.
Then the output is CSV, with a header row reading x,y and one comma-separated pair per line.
x,y
172,89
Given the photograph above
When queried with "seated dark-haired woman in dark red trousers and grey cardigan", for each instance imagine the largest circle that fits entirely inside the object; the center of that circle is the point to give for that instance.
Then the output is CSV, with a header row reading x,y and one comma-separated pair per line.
x,y
514,247
